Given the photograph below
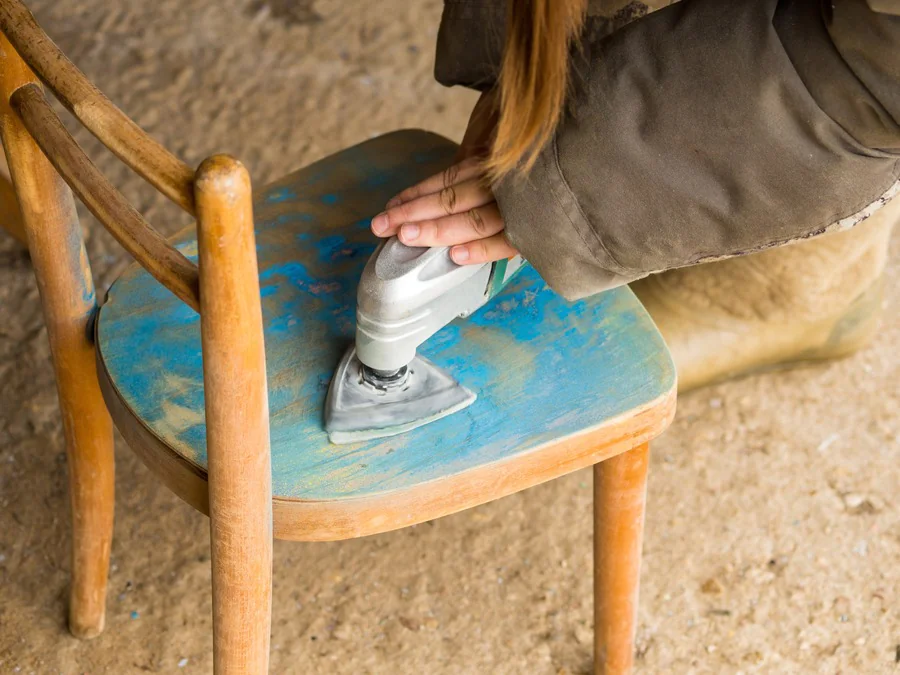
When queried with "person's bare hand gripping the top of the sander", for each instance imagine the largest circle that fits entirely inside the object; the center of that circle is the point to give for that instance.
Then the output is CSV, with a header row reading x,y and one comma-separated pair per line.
x,y
455,208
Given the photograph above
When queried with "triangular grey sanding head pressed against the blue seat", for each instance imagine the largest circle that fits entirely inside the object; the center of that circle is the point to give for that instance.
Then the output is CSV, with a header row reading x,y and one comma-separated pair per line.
x,y
364,404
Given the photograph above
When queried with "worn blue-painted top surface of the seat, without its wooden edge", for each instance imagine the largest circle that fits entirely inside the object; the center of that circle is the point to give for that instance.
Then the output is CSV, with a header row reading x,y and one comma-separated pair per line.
x,y
543,368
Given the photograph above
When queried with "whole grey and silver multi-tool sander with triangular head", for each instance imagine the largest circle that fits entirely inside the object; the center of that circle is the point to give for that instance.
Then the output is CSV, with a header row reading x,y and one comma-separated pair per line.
x,y
405,295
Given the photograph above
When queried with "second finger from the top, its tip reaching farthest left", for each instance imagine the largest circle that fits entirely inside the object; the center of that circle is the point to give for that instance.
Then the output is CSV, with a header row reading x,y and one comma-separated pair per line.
x,y
448,201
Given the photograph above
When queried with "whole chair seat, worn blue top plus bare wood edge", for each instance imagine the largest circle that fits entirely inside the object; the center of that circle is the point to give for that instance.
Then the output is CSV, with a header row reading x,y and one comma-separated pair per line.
x,y
560,385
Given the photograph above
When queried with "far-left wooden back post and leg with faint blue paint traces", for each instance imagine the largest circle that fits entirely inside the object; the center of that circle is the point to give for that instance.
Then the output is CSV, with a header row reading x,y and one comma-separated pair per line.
x,y
67,295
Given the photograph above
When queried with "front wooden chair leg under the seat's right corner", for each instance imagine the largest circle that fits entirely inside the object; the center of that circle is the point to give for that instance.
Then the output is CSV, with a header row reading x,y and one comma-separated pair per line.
x,y
620,488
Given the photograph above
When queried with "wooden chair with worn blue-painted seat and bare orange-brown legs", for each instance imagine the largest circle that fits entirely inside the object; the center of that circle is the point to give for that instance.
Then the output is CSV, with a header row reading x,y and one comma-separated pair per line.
x,y
561,386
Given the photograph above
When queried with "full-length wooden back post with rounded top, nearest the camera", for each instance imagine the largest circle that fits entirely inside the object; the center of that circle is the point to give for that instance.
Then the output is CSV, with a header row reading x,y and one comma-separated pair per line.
x,y
237,413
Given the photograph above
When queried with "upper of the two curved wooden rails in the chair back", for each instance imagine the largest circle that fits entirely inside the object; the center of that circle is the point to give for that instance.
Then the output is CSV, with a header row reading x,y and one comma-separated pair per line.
x,y
168,174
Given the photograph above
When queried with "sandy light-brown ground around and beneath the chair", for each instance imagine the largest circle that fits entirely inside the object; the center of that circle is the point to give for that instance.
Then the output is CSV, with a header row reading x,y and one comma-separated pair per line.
x,y
773,535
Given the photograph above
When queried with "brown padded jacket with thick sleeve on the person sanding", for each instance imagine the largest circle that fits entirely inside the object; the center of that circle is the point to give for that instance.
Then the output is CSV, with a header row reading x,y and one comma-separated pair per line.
x,y
704,130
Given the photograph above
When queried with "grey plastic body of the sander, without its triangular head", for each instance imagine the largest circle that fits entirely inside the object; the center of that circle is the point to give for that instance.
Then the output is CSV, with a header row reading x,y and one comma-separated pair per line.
x,y
407,294
